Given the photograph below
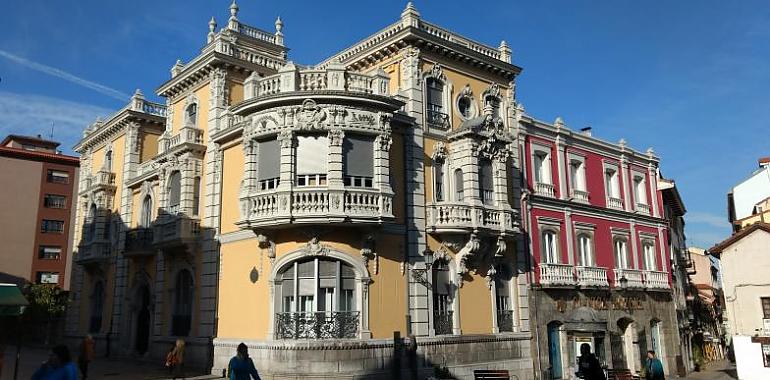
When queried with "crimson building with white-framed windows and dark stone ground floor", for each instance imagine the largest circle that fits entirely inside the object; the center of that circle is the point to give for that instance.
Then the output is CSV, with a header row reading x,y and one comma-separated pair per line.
x,y
599,243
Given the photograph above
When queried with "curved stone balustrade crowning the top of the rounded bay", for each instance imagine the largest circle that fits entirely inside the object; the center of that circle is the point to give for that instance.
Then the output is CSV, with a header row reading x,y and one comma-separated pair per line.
x,y
291,78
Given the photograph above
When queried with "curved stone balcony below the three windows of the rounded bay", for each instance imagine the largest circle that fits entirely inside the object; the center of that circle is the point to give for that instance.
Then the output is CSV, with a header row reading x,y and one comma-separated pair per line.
x,y
315,205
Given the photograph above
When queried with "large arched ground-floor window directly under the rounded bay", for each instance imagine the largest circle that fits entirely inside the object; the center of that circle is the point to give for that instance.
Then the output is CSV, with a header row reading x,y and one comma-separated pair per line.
x,y
316,299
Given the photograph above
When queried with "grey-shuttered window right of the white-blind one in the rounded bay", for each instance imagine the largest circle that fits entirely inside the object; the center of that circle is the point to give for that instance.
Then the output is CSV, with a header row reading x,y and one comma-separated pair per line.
x,y
358,160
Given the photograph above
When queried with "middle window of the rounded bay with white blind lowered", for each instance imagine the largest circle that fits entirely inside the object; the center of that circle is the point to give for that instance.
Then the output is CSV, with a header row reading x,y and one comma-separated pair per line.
x,y
311,160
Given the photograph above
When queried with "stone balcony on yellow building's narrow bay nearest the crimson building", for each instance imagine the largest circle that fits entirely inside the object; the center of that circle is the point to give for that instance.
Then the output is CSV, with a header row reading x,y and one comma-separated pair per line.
x,y
460,217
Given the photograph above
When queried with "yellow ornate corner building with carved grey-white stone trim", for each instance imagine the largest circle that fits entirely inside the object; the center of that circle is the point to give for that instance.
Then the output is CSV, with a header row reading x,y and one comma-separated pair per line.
x,y
329,216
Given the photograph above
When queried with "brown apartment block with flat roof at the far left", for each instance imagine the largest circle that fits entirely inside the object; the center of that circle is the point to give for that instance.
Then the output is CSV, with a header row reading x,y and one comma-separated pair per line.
x,y
38,211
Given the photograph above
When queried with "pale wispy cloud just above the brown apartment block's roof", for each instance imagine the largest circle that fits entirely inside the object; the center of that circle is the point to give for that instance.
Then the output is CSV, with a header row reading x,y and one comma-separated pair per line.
x,y
33,114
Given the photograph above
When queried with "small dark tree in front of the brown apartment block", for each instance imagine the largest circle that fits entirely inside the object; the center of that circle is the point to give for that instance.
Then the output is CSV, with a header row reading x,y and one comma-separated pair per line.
x,y
46,303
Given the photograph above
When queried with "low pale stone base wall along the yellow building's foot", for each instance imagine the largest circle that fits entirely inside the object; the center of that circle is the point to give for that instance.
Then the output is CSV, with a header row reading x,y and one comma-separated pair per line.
x,y
382,359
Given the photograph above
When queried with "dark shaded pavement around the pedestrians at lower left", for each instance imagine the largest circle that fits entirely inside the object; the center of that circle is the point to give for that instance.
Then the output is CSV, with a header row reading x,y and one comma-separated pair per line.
x,y
101,368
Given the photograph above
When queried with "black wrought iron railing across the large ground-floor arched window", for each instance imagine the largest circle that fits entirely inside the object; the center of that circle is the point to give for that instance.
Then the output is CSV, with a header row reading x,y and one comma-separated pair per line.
x,y
317,325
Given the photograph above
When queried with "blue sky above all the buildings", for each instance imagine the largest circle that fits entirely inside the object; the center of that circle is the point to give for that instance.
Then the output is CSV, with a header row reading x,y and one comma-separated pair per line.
x,y
688,78
